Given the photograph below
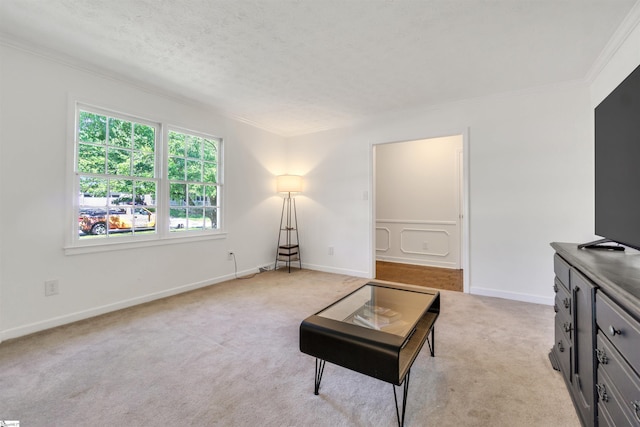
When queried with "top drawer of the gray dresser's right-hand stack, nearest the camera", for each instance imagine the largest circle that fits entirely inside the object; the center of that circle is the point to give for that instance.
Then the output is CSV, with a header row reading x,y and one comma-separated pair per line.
x,y
621,329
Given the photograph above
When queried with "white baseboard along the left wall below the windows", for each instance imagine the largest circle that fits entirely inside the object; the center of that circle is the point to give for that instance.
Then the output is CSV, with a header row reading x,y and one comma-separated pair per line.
x,y
96,311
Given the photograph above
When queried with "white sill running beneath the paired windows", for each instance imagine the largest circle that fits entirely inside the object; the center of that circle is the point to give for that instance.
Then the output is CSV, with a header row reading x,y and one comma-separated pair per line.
x,y
134,244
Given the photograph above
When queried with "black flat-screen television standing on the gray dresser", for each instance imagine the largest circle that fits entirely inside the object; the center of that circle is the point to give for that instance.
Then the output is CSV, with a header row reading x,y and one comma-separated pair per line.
x,y
617,166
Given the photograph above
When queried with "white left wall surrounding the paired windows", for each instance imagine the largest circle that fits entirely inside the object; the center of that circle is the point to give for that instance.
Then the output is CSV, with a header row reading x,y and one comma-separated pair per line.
x,y
33,169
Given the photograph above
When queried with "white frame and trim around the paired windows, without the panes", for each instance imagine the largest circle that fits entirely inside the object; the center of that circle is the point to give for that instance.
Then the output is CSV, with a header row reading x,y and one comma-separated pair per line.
x,y
163,235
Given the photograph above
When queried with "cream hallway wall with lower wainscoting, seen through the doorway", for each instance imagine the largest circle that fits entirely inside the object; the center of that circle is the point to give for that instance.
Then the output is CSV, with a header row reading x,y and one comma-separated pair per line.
x,y
417,201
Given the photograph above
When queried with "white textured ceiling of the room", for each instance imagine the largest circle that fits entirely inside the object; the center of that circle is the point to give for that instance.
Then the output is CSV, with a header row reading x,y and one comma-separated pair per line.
x,y
298,66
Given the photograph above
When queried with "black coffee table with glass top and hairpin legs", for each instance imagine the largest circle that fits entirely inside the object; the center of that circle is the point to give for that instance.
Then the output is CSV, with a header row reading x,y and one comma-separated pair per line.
x,y
377,330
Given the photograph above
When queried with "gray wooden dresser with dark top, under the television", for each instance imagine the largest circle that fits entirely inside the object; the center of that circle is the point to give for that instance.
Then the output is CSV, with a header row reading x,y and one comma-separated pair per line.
x,y
597,332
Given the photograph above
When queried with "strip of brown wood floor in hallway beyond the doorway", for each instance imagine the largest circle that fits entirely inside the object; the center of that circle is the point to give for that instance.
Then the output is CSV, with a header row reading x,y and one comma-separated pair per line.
x,y
432,277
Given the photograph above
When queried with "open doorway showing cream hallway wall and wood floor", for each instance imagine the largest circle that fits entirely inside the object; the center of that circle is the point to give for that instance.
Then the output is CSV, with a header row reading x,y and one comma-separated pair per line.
x,y
420,226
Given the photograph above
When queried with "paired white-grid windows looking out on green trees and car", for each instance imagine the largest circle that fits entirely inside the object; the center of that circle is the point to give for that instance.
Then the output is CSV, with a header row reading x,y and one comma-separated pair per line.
x,y
119,179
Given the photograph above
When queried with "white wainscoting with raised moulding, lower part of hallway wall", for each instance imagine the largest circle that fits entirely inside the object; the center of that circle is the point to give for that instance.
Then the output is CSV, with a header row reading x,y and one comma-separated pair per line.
x,y
429,243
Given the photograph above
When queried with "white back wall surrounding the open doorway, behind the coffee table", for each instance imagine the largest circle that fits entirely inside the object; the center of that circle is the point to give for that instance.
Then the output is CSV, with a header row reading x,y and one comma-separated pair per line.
x,y
531,182
